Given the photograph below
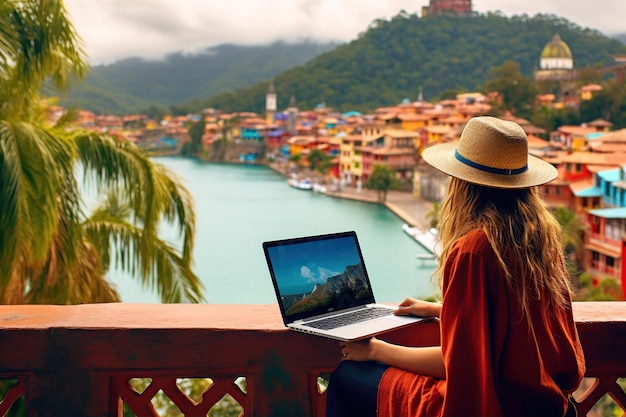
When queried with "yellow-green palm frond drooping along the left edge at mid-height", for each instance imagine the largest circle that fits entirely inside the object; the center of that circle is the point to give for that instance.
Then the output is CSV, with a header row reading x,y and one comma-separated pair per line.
x,y
30,162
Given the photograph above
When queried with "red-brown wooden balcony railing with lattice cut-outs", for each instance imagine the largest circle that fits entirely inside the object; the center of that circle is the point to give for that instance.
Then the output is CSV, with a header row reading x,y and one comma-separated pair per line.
x,y
76,361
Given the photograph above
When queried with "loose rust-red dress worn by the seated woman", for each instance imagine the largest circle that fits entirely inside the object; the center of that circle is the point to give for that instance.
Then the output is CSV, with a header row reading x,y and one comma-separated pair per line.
x,y
498,363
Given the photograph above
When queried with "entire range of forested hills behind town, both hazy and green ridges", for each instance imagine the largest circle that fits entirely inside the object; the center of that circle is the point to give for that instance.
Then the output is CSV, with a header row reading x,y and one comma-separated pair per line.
x,y
391,60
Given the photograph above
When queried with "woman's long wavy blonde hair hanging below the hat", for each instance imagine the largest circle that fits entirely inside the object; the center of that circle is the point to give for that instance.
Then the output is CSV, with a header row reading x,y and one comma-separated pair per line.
x,y
524,235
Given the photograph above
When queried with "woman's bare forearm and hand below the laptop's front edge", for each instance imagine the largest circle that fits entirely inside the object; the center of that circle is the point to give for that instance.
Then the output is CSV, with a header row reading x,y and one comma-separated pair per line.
x,y
422,360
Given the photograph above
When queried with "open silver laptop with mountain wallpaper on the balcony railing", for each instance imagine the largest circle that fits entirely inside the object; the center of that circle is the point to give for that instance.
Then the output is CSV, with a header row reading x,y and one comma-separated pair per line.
x,y
323,288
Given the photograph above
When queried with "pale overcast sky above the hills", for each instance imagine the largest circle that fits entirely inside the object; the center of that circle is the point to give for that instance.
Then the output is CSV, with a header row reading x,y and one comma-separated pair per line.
x,y
117,29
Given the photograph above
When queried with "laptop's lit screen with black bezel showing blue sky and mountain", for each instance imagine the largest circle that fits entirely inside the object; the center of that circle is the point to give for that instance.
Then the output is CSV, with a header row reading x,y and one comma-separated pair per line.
x,y
318,274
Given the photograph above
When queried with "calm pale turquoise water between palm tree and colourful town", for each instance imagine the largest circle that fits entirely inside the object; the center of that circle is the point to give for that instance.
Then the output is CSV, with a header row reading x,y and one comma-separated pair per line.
x,y
240,206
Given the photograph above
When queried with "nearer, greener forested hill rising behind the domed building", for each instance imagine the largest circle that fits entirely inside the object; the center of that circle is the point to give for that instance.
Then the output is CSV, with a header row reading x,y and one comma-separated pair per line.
x,y
394,58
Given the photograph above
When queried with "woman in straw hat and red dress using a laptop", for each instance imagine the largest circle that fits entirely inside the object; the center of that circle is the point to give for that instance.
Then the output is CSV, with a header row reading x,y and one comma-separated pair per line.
x,y
509,346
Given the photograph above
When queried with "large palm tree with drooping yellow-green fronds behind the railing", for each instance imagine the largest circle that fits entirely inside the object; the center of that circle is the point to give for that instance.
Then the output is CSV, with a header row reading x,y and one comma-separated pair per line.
x,y
54,247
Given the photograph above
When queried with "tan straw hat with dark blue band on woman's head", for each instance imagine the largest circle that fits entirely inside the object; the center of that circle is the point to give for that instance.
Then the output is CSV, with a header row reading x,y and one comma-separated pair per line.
x,y
491,152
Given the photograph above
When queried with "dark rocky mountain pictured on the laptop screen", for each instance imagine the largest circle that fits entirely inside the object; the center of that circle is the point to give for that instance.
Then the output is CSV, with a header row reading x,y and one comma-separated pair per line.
x,y
340,291
